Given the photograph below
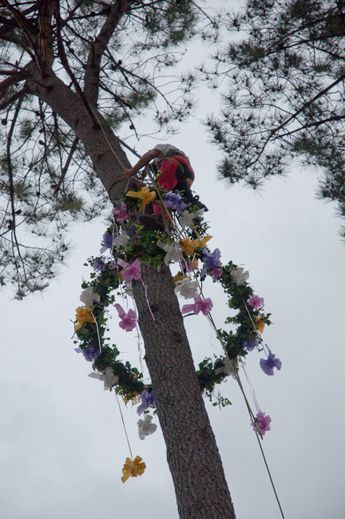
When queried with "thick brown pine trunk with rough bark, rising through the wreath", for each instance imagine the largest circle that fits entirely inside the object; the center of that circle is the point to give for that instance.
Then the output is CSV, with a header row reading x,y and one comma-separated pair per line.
x,y
193,457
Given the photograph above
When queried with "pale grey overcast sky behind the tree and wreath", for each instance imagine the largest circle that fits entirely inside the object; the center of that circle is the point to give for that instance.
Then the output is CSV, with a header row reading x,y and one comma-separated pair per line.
x,y
61,441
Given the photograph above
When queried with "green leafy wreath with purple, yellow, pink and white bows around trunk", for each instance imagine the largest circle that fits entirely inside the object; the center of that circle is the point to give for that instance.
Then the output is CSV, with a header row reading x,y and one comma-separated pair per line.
x,y
158,228
